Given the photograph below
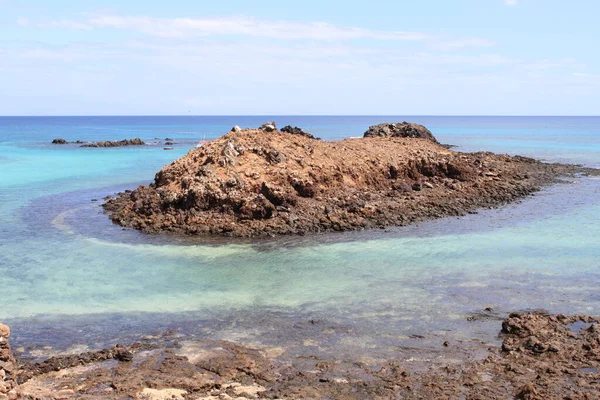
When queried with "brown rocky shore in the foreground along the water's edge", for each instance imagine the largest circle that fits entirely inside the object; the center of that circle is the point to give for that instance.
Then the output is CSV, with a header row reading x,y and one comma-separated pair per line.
x,y
542,357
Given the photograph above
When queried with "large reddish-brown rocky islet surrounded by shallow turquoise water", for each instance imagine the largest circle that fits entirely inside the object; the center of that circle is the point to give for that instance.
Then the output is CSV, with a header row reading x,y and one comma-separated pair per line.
x,y
265,182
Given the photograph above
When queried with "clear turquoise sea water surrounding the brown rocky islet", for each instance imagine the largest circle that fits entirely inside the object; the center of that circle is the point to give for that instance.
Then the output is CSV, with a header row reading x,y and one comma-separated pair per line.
x,y
68,276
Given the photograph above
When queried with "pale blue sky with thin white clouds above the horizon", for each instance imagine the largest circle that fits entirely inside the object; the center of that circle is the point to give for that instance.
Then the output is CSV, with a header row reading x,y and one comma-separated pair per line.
x,y
193,57
